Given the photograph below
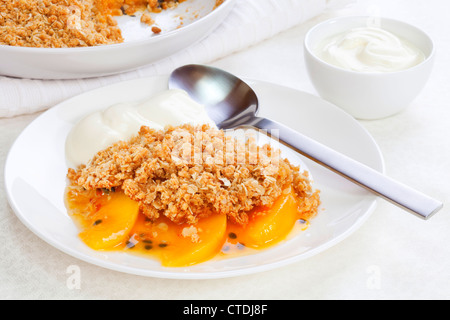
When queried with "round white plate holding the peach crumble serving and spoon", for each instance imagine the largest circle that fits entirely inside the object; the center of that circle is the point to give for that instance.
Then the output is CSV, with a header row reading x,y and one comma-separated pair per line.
x,y
35,179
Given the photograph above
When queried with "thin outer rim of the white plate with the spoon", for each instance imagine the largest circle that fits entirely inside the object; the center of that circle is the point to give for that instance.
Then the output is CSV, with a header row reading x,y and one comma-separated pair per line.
x,y
167,274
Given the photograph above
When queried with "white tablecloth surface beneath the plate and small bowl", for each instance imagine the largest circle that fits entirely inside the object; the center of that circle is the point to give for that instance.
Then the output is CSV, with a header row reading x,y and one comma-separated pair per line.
x,y
394,255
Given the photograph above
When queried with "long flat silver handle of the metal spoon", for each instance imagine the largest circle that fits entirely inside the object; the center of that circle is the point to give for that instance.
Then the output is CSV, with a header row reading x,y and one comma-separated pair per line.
x,y
401,195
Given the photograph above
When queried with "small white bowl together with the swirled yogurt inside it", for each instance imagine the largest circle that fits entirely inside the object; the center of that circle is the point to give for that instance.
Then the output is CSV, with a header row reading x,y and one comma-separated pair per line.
x,y
372,71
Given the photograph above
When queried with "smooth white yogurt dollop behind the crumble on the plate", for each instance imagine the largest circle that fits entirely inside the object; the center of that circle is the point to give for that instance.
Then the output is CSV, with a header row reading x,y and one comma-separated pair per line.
x,y
119,122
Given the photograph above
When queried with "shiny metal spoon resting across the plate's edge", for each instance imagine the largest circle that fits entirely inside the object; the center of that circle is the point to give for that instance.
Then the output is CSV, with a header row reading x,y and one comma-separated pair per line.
x,y
231,103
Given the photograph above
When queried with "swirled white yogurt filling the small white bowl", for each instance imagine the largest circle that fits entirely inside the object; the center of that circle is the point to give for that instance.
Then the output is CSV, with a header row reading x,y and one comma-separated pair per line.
x,y
369,49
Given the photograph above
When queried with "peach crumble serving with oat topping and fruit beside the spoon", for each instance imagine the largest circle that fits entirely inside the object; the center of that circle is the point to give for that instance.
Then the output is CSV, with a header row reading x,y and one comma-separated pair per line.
x,y
186,194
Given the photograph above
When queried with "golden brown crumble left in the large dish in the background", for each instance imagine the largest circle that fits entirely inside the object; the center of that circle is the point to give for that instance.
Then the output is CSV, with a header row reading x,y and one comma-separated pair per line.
x,y
55,24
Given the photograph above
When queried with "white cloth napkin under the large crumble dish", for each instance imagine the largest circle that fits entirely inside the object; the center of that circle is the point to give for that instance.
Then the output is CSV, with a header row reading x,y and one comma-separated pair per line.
x,y
250,22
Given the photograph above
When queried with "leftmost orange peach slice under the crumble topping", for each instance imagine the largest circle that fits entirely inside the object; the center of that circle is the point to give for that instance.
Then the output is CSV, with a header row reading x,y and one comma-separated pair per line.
x,y
111,224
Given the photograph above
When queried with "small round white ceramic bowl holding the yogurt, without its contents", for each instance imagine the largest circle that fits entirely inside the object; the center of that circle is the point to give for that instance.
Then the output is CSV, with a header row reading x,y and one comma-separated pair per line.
x,y
368,95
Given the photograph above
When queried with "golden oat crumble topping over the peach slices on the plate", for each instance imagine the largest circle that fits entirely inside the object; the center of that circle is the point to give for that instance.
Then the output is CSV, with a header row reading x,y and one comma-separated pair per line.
x,y
186,173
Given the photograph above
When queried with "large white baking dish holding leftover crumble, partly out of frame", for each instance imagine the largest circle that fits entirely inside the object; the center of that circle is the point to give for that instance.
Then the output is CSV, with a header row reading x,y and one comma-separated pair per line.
x,y
140,47
